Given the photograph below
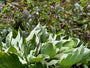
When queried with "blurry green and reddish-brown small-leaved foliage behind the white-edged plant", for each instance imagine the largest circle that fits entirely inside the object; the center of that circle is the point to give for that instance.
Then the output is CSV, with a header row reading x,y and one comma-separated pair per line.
x,y
73,17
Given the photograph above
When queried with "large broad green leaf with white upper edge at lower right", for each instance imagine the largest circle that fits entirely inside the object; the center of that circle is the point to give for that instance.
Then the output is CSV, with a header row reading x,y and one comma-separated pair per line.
x,y
69,59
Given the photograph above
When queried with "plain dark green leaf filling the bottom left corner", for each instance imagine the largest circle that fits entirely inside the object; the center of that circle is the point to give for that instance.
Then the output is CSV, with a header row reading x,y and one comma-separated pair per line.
x,y
9,60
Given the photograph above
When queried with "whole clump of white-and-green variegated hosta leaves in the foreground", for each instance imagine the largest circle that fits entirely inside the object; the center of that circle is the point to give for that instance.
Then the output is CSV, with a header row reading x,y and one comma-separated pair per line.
x,y
46,50
